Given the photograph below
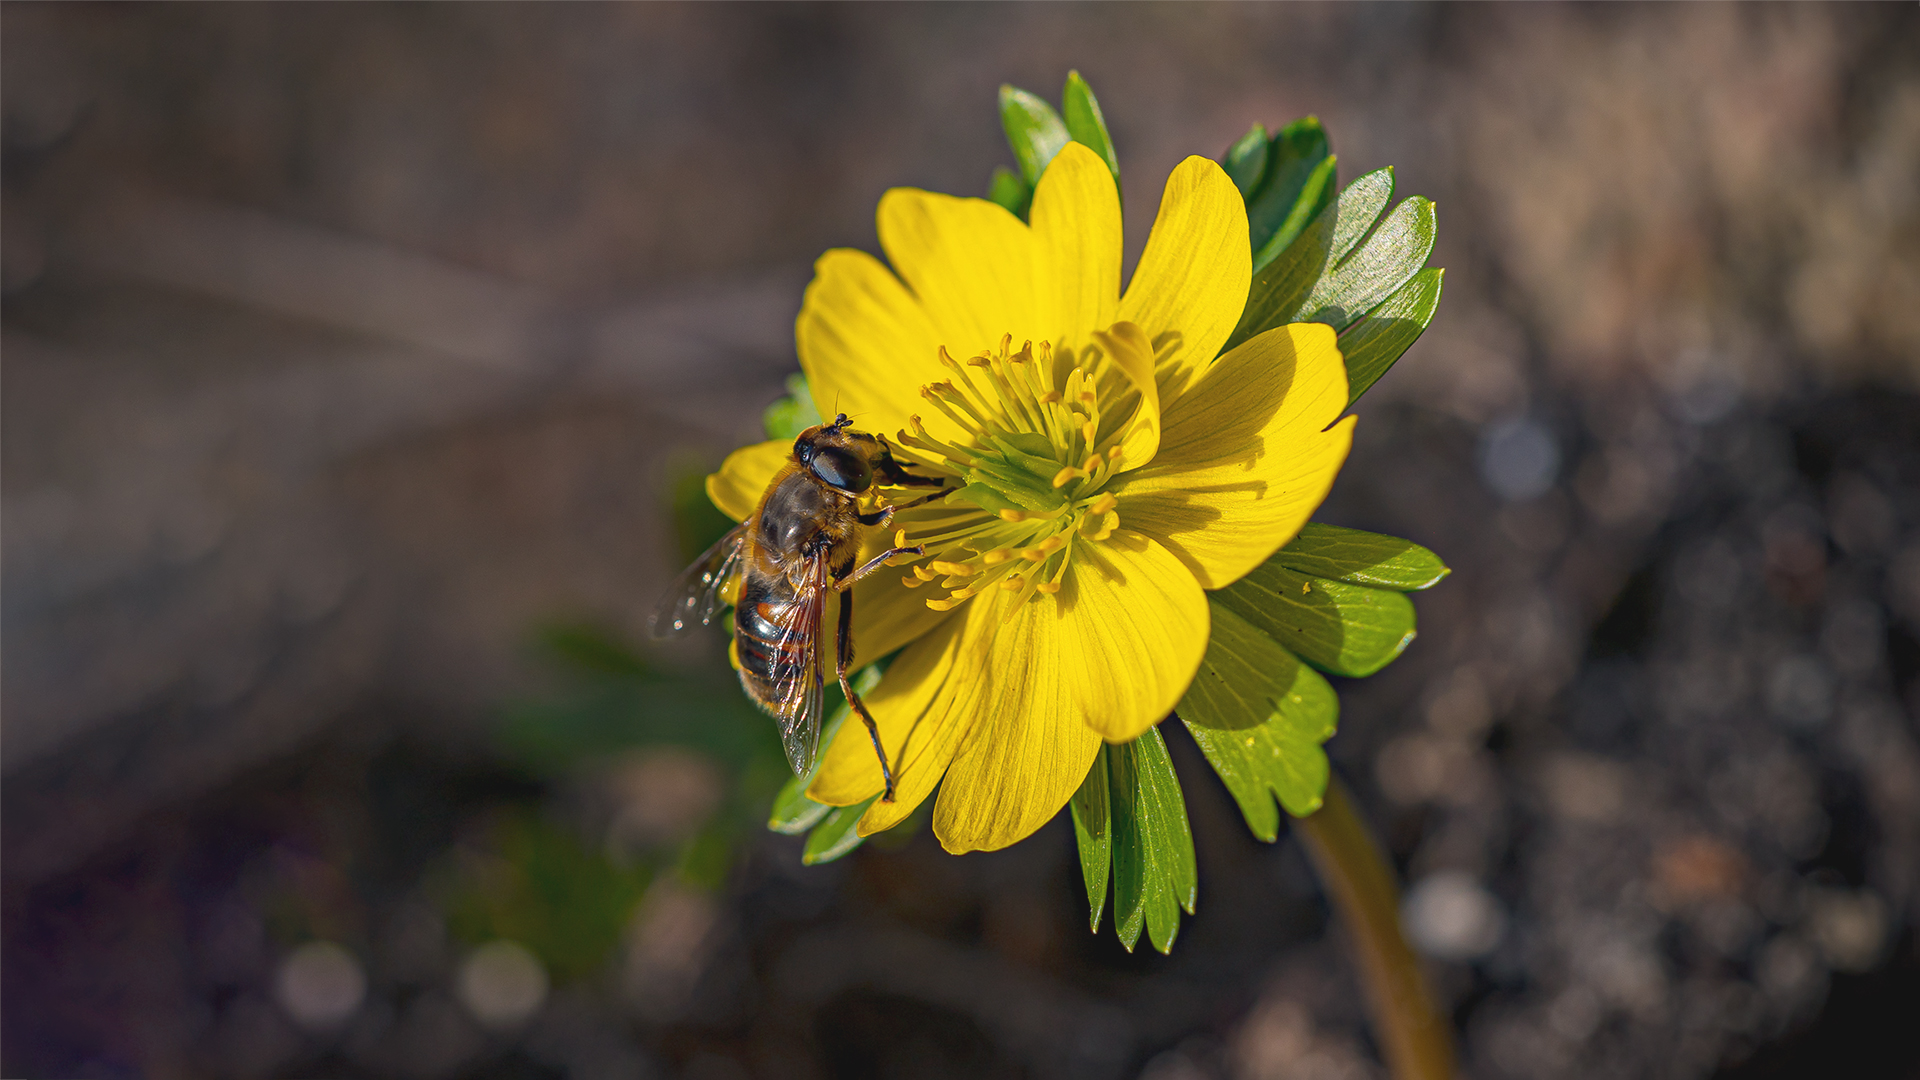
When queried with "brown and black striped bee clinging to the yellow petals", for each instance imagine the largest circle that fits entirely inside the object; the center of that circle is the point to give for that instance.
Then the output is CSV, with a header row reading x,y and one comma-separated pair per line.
x,y
798,547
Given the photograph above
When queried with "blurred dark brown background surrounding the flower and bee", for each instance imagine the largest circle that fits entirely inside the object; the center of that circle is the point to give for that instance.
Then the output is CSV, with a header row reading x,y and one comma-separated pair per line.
x,y
356,360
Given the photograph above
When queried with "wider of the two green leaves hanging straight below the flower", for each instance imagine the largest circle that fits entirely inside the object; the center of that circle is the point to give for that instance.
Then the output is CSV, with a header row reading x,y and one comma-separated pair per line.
x,y
1153,848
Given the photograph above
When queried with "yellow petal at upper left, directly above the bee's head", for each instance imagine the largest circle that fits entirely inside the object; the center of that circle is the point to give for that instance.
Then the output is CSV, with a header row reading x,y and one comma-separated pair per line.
x,y
867,347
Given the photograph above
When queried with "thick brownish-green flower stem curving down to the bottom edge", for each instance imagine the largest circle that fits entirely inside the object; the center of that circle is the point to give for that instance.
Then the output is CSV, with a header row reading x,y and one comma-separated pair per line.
x,y
1416,1041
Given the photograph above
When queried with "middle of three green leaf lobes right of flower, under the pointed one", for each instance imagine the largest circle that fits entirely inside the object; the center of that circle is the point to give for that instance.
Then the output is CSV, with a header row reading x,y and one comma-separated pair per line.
x,y
1339,627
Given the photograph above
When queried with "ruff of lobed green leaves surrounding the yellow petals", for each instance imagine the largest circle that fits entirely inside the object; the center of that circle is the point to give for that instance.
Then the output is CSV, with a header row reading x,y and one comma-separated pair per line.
x,y
1333,601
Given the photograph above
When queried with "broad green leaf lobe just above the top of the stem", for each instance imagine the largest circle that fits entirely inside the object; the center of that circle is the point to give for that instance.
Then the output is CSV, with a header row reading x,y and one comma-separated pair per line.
x,y
1260,718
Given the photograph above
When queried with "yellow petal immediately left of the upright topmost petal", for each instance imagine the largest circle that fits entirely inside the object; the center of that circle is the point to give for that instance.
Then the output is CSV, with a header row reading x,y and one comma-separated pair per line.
x,y
969,262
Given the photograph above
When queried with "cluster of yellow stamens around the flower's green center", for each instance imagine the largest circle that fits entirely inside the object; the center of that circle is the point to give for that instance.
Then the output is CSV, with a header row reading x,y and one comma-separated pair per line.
x,y
1042,435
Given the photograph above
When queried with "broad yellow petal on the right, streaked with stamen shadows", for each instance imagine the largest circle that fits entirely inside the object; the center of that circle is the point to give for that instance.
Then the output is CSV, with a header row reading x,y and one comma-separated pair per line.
x,y
1245,454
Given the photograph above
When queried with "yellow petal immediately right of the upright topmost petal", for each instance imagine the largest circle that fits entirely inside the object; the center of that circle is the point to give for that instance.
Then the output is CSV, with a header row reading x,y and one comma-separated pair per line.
x,y
1191,283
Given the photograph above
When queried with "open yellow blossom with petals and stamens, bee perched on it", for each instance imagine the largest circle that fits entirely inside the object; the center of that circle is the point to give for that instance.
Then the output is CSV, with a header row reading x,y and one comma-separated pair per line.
x,y
1105,474
